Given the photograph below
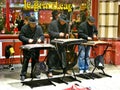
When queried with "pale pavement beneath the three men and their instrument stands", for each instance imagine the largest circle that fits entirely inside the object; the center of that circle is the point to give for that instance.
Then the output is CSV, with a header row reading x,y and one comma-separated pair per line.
x,y
10,80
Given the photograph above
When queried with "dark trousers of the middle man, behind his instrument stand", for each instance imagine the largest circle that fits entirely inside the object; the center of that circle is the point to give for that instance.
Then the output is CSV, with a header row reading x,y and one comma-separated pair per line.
x,y
57,59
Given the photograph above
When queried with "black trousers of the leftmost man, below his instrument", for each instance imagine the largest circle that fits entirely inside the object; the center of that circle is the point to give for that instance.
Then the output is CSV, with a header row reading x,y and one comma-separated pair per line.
x,y
27,54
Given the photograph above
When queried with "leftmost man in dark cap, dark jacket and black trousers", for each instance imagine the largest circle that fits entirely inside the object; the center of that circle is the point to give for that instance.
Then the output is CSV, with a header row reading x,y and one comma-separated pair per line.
x,y
30,33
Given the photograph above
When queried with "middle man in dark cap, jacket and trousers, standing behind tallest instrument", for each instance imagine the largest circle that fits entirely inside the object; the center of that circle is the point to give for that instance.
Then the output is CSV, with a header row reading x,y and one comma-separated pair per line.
x,y
58,29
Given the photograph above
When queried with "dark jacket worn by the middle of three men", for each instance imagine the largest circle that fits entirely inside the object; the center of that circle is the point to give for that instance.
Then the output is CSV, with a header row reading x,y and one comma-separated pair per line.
x,y
55,28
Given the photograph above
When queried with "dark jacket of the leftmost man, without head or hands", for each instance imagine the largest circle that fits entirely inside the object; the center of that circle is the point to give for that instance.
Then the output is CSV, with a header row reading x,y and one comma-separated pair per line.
x,y
26,33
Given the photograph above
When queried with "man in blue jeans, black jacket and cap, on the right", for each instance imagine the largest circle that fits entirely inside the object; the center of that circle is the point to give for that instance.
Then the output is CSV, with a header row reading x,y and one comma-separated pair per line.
x,y
87,30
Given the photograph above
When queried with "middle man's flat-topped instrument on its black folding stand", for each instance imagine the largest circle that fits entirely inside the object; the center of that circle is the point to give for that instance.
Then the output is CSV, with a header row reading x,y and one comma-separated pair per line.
x,y
65,43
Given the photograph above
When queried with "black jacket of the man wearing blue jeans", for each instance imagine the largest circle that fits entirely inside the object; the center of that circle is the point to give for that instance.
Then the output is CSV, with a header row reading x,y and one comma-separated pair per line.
x,y
85,30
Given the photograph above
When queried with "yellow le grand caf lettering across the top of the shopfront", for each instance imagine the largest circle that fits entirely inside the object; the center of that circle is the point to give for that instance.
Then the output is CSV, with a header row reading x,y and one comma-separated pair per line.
x,y
36,5
